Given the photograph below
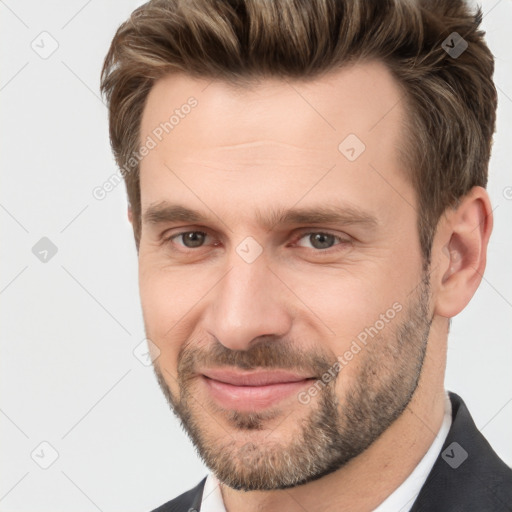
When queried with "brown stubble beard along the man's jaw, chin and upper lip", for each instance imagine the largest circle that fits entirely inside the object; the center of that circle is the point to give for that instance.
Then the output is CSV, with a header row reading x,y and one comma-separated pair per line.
x,y
336,429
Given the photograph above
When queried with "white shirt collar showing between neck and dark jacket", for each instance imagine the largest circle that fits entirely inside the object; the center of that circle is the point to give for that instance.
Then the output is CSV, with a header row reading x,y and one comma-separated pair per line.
x,y
401,500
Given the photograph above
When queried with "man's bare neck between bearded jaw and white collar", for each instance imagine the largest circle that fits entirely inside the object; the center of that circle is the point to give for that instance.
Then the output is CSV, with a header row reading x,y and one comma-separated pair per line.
x,y
368,479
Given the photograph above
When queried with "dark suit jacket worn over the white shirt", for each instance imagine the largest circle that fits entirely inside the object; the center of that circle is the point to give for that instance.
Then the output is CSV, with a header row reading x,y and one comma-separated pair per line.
x,y
467,476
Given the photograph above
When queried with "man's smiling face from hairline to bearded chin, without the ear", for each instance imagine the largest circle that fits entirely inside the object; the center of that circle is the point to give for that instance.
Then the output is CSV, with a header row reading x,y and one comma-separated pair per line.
x,y
339,304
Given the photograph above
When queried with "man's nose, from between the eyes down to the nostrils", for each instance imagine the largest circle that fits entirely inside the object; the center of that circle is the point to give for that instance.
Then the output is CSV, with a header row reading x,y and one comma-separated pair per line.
x,y
248,302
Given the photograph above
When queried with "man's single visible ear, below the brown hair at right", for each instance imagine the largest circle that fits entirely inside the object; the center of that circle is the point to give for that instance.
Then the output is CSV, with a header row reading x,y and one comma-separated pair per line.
x,y
460,245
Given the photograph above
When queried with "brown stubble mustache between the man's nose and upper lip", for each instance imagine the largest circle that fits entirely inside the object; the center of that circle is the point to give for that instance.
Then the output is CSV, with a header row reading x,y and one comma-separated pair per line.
x,y
268,352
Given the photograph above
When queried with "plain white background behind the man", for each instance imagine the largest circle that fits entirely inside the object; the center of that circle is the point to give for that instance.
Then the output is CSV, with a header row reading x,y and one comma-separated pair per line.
x,y
69,326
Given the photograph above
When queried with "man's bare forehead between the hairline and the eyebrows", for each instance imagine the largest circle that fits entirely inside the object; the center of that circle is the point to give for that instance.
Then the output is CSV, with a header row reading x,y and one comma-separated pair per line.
x,y
273,140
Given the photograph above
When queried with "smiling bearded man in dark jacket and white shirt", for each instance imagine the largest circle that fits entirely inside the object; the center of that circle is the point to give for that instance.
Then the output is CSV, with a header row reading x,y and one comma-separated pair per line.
x,y
306,185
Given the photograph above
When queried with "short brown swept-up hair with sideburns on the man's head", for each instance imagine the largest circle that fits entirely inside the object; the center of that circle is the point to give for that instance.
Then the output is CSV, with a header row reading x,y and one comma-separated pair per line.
x,y
451,99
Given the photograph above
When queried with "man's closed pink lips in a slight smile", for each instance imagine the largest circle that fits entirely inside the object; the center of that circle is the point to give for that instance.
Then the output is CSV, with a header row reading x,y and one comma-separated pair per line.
x,y
252,391
